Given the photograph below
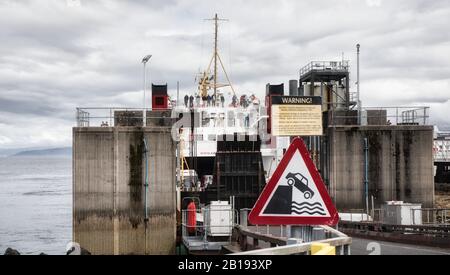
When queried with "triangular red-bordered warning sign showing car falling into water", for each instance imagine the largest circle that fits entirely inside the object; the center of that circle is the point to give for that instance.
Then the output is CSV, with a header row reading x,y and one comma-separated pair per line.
x,y
295,194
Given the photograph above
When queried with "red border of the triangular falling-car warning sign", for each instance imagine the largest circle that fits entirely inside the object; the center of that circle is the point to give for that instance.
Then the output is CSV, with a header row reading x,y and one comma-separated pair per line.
x,y
255,216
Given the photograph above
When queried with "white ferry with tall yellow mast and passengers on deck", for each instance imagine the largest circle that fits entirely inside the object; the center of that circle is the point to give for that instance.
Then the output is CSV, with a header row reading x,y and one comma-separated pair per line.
x,y
216,124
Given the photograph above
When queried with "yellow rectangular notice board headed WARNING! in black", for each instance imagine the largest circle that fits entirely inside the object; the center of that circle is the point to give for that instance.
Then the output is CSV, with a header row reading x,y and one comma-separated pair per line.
x,y
296,116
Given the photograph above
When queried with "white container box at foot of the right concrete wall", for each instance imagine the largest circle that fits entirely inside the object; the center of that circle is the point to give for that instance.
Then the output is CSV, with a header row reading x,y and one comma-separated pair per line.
x,y
400,213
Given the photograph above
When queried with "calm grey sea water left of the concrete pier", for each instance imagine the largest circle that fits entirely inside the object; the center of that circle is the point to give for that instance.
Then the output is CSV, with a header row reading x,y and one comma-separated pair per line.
x,y
35,204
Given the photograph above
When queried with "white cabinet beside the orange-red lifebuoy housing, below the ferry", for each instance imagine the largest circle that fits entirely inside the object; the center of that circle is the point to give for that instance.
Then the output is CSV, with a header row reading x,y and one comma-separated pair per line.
x,y
218,219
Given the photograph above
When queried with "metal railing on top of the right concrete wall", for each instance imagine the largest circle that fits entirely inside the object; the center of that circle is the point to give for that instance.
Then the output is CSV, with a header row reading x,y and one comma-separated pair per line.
x,y
382,116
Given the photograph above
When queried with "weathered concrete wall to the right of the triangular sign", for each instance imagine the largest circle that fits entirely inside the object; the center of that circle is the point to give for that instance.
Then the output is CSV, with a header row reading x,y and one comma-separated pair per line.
x,y
400,165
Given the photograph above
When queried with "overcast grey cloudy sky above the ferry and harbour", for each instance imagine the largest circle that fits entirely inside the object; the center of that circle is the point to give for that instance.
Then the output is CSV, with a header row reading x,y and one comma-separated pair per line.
x,y
56,55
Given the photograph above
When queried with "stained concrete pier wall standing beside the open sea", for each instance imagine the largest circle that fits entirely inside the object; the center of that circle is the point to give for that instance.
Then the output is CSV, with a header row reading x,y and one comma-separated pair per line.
x,y
109,192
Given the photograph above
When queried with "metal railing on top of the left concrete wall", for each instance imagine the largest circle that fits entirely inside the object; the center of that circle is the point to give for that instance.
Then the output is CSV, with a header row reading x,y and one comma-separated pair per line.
x,y
116,116
